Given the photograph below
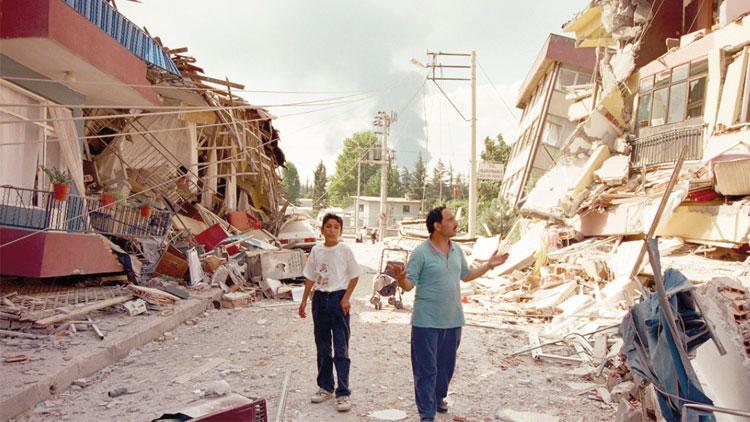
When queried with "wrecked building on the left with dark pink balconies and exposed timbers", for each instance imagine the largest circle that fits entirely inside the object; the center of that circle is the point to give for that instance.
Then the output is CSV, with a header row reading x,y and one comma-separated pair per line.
x,y
149,145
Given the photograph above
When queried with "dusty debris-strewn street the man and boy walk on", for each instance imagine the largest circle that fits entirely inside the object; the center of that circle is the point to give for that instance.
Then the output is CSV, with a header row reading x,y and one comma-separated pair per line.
x,y
257,345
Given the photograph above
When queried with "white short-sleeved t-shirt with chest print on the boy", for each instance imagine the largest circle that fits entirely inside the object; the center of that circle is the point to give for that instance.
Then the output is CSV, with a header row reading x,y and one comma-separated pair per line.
x,y
331,268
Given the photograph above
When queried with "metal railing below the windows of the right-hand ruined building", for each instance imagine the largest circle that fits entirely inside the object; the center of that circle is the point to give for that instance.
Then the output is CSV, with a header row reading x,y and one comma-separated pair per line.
x,y
664,147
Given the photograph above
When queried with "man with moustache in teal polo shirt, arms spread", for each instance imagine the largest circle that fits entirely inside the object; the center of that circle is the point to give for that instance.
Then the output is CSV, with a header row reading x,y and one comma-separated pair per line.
x,y
435,269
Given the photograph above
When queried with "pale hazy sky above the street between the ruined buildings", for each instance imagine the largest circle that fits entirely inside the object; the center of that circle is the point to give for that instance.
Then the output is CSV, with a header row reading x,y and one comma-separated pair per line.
x,y
351,59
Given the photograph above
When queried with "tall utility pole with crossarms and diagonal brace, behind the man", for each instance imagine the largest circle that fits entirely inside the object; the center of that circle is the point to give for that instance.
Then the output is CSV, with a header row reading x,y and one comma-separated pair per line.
x,y
434,76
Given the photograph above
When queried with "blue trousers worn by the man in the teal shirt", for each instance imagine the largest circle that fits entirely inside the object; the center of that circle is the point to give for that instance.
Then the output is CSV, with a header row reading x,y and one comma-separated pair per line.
x,y
433,359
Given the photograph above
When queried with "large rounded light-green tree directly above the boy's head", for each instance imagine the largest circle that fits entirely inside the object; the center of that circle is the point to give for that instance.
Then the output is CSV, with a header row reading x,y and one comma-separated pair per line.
x,y
344,181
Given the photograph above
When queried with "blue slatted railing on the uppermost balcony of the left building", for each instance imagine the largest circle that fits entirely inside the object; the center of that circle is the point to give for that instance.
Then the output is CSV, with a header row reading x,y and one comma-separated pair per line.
x,y
117,26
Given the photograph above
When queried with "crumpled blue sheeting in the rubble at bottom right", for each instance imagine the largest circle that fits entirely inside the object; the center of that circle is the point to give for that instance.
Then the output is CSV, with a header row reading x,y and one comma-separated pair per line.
x,y
651,350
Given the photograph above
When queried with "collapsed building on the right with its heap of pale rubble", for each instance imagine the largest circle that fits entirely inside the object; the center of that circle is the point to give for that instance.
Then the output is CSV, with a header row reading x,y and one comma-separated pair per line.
x,y
659,149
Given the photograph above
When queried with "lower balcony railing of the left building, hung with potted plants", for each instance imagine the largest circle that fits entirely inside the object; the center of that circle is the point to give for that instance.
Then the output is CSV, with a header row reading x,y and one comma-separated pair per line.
x,y
36,209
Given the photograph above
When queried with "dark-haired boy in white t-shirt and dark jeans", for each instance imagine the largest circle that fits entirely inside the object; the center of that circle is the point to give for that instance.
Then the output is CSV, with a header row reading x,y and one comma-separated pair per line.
x,y
332,272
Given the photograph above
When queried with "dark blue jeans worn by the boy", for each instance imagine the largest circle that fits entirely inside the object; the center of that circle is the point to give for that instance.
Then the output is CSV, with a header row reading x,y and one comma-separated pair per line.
x,y
331,325
